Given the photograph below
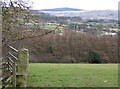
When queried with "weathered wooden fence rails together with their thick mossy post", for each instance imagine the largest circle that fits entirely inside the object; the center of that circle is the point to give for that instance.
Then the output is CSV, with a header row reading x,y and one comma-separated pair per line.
x,y
16,68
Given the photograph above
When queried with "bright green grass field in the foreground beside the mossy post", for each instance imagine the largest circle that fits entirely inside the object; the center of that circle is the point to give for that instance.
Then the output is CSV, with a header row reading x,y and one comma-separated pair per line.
x,y
73,75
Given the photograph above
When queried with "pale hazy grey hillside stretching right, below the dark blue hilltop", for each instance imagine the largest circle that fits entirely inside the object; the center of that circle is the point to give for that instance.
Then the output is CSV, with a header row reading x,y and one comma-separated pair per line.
x,y
94,14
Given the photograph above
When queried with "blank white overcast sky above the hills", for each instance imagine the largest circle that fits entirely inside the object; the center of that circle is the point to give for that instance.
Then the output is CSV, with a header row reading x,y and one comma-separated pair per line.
x,y
80,4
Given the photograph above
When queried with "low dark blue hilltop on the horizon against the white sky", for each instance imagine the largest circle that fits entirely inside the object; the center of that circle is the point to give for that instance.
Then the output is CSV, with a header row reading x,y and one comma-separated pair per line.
x,y
62,9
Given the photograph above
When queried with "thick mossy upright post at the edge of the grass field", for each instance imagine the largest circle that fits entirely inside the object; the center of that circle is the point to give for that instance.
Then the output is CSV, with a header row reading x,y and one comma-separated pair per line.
x,y
22,66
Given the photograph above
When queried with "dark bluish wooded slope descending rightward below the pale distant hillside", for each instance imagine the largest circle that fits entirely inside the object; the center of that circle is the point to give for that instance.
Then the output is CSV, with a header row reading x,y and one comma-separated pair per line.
x,y
45,17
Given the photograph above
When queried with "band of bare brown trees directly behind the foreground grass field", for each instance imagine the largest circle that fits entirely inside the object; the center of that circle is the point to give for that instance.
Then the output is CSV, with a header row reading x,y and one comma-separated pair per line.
x,y
71,47
